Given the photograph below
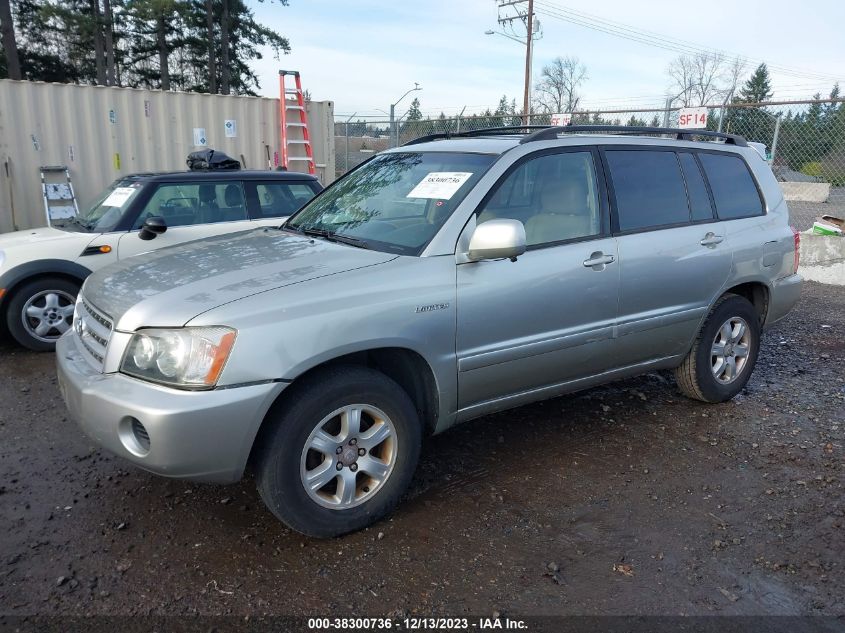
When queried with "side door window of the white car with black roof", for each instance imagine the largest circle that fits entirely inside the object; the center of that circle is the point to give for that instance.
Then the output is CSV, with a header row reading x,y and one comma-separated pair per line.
x,y
189,203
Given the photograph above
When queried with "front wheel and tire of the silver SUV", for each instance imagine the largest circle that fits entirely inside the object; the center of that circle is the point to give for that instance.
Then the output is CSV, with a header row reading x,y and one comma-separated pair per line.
x,y
326,401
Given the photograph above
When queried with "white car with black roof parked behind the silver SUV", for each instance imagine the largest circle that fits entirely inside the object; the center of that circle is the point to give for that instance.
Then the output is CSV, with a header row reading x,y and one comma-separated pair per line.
x,y
41,270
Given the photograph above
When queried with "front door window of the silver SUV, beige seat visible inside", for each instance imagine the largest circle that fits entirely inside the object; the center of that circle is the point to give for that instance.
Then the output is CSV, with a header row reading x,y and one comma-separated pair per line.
x,y
555,196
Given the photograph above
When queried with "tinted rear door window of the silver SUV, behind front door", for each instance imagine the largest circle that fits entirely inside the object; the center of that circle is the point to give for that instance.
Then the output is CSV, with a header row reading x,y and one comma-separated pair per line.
x,y
649,189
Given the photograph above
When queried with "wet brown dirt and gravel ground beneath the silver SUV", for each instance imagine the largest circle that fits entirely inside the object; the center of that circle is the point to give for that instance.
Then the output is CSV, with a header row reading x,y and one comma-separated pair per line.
x,y
626,499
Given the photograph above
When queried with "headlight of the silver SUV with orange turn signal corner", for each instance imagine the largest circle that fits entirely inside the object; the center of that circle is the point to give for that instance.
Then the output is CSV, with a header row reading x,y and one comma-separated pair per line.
x,y
190,357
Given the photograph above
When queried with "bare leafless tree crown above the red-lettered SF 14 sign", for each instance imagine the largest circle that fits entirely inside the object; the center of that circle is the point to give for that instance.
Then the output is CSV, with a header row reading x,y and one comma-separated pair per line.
x,y
705,77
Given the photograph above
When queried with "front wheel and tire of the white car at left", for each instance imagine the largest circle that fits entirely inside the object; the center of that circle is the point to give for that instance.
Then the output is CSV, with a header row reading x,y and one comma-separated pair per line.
x,y
40,311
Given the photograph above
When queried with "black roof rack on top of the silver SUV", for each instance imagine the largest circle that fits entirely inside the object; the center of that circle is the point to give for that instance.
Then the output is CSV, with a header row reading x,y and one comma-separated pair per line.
x,y
547,133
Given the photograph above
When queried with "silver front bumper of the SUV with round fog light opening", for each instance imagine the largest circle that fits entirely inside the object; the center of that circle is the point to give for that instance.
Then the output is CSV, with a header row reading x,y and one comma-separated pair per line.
x,y
198,435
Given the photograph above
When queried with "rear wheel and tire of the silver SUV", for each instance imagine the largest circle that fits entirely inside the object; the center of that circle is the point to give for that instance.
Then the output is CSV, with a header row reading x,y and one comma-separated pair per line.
x,y
705,374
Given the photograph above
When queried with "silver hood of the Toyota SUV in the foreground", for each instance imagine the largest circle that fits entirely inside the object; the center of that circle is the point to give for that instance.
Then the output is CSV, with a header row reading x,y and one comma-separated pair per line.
x,y
171,286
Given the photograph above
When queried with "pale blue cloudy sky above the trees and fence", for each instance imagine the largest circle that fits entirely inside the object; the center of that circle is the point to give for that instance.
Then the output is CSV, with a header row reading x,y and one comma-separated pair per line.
x,y
364,55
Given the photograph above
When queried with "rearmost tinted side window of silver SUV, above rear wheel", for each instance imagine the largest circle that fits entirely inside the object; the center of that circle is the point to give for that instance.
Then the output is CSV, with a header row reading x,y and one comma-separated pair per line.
x,y
733,187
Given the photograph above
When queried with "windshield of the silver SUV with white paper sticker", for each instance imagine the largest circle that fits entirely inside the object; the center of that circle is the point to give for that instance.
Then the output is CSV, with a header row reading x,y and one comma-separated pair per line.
x,y
395,202
